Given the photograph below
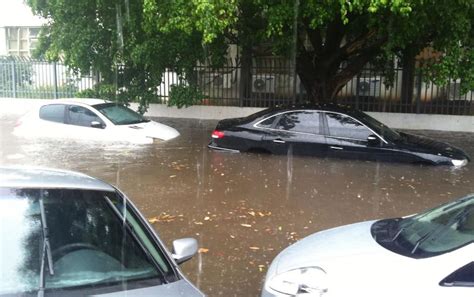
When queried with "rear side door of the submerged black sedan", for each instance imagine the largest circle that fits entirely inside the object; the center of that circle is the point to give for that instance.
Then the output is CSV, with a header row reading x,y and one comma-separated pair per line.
x,y
298,132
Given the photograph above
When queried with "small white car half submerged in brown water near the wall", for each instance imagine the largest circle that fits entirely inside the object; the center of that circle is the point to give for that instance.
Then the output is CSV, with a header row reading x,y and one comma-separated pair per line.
x,y
91,119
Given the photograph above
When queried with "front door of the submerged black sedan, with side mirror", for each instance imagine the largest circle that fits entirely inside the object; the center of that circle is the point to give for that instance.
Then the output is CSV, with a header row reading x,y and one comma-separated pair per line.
x,y
348,138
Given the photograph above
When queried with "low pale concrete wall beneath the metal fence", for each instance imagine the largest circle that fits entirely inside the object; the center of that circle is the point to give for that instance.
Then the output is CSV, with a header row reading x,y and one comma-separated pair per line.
x,y
395,120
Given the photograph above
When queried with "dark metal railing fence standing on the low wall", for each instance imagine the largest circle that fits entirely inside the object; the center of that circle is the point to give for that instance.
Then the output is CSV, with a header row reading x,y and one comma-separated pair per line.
x,y
269,81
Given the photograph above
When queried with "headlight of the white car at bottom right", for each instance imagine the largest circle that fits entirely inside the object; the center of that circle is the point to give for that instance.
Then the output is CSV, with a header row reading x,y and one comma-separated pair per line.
x,y
307,281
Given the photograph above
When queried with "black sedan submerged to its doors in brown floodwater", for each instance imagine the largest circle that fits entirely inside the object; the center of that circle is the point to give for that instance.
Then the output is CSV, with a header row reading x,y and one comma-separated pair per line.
x,y
329,131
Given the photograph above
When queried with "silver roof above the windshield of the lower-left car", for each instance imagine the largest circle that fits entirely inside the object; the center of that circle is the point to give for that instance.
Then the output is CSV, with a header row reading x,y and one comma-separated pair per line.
x,y
47,178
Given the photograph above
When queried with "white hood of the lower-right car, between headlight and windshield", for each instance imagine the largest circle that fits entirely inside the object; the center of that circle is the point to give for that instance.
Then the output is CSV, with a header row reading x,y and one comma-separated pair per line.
x,y
327,246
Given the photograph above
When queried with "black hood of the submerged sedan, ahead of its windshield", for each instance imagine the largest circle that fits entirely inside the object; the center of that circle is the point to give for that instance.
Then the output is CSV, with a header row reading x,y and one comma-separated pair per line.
x,y
427,145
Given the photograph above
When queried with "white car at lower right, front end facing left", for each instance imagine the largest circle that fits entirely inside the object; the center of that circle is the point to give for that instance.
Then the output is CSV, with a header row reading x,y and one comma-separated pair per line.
x,y
430,254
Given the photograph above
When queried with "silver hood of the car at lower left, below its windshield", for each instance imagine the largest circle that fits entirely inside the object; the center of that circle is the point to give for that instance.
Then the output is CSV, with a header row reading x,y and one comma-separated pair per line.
x,y
174,289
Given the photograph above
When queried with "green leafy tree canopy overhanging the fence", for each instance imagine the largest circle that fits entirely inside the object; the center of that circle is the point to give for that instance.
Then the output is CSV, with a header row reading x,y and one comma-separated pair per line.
x,y
329,40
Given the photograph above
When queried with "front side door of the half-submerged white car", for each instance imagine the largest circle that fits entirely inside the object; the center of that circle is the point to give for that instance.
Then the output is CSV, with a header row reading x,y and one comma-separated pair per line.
x,y
84,123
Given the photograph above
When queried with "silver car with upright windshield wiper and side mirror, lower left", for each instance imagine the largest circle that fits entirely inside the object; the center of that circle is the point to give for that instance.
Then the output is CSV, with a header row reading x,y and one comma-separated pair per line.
x,y
67,234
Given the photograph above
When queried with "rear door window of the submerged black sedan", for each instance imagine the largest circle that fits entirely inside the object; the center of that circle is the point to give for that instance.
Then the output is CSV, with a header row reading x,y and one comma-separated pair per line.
x,y
299,121
